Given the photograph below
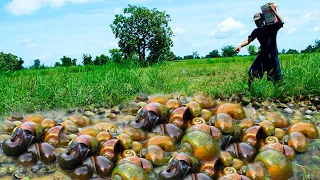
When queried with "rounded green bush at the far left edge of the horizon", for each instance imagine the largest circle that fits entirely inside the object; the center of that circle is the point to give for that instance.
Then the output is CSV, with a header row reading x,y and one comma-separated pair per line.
x,y
10,62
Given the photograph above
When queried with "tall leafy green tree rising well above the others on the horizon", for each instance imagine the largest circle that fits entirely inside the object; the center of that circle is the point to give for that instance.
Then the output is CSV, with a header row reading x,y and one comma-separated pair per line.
x,y
141,30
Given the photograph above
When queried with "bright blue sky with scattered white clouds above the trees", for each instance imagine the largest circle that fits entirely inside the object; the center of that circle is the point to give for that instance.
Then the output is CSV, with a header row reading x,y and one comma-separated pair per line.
x,y
49,29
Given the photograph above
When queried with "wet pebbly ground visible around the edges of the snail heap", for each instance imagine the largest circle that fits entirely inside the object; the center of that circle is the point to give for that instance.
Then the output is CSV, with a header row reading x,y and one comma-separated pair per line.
x,y
305,165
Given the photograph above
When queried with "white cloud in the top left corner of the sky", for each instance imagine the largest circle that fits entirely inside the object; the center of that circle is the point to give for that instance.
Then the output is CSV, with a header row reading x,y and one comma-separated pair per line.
x,y
23,7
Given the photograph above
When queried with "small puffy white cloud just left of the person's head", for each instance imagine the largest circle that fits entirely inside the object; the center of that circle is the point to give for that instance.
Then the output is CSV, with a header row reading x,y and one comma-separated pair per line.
x,y
227,27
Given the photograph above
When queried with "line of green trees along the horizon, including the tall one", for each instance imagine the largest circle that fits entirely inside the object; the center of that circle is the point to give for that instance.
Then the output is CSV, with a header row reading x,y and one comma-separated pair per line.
x,y
144,38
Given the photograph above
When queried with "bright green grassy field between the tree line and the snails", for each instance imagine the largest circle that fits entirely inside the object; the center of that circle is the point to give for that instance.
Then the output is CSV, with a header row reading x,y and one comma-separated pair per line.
x,y
33,90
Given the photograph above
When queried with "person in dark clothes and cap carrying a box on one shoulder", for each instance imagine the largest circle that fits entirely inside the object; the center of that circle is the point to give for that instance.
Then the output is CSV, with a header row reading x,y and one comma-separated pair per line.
x,y
267,59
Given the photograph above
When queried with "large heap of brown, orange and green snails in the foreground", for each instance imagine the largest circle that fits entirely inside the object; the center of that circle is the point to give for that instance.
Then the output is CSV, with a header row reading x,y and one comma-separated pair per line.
x,y
168,139
